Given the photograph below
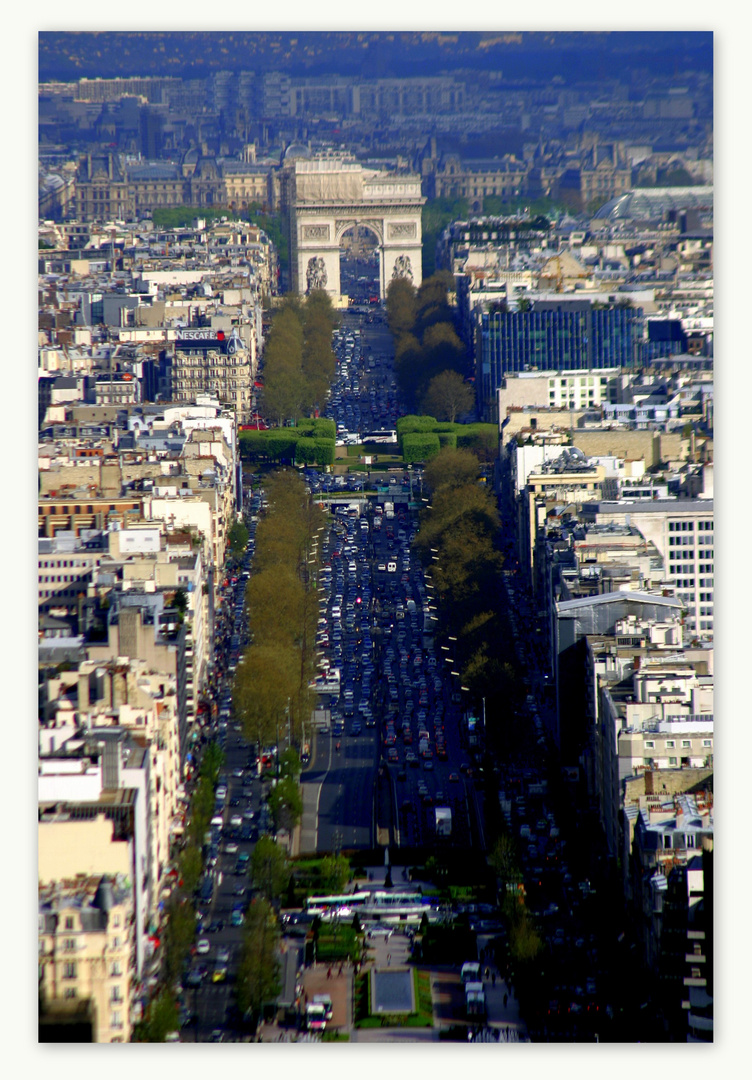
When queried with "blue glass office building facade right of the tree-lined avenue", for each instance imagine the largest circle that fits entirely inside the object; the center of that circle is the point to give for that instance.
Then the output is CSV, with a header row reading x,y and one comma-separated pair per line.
x,y
562,339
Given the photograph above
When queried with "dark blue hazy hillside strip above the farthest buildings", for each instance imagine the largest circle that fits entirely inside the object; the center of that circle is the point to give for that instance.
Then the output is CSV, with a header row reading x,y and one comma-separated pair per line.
x,y
526,57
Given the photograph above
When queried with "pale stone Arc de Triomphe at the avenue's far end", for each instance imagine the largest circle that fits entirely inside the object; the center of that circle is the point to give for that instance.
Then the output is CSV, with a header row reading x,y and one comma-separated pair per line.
x,y
328,197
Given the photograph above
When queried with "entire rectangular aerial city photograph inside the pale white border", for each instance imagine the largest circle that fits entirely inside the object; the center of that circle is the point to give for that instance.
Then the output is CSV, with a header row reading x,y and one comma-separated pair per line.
x,y
375,518
